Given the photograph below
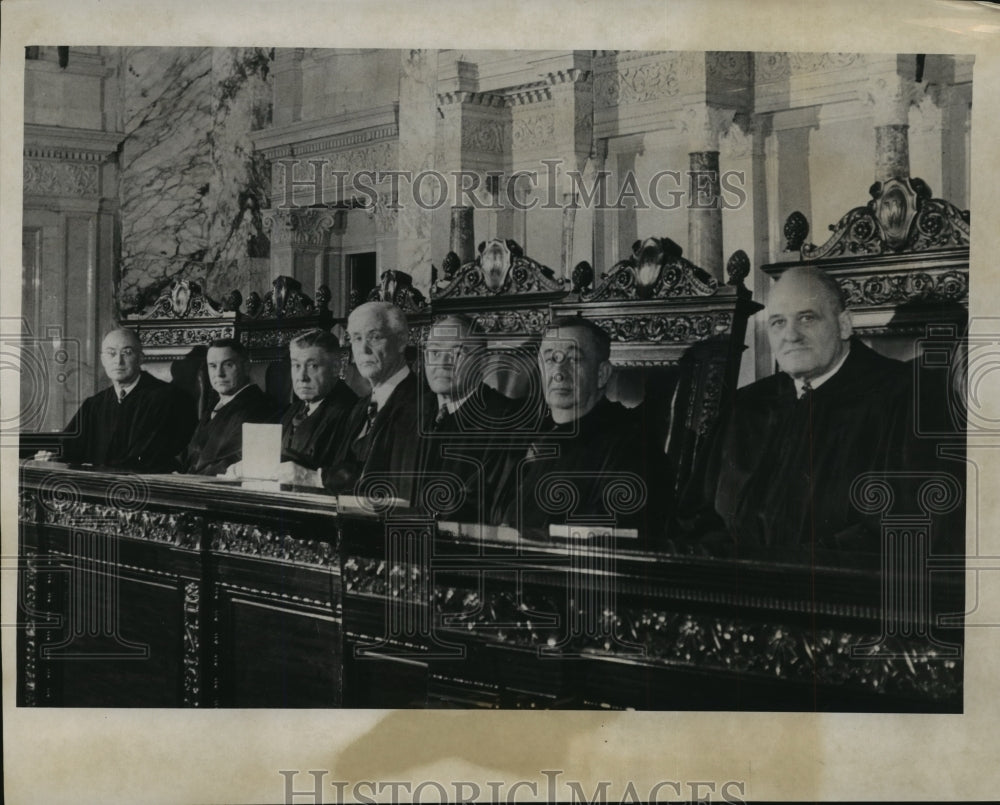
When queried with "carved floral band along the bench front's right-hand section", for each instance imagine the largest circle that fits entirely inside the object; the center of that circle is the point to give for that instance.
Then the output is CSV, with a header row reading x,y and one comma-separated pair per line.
x,y
773,650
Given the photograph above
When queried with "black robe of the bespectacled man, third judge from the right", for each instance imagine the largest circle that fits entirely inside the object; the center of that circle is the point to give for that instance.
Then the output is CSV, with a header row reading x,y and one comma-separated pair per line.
x,y
466,454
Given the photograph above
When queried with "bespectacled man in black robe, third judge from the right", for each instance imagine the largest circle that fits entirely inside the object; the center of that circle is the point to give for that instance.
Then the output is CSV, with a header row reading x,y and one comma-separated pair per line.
x,y
468,430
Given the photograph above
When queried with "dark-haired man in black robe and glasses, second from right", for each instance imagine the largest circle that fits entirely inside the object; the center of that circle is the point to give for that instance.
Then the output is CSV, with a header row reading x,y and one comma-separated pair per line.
x,y
592,462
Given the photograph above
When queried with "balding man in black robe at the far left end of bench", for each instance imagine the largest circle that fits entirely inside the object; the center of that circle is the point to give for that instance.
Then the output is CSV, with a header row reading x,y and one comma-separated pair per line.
x,y
137,423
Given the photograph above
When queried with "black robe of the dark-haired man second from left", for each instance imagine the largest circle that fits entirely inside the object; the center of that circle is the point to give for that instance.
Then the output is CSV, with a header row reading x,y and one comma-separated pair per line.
x,y
218,442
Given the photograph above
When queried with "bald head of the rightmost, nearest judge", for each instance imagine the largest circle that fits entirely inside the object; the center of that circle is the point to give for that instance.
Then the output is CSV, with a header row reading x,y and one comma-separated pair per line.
x,y
807,323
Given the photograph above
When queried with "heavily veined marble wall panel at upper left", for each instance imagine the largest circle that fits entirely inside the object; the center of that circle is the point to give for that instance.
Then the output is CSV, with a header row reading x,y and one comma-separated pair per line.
x,y
191,188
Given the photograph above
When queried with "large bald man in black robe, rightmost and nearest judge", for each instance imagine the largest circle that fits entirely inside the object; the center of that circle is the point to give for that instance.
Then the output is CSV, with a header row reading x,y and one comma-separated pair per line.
x,y
783,464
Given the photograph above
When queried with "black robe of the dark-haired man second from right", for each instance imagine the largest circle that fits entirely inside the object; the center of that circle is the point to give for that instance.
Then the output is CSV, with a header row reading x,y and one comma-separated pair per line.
x,y
603,464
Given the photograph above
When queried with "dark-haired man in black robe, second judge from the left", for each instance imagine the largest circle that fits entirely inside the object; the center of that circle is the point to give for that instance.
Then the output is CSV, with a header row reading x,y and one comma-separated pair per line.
x,y
217,442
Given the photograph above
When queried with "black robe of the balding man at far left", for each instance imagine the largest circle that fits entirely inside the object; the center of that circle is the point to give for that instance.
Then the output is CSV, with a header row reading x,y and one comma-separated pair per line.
x,y
142,433
